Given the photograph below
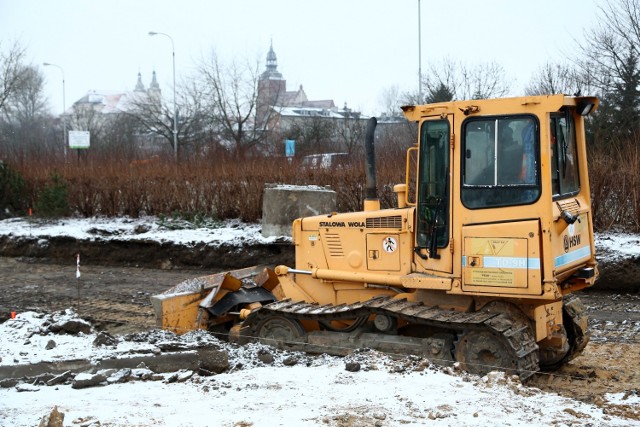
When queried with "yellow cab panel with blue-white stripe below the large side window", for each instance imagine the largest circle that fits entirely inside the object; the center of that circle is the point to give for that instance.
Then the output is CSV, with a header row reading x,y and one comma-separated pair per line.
x,y
503,258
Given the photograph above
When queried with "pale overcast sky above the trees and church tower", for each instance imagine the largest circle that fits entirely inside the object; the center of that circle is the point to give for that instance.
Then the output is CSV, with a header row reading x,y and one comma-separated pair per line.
x,y
348,51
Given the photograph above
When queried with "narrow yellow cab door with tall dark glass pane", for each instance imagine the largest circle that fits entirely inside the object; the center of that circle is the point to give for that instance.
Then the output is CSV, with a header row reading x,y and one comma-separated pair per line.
x,y
434,209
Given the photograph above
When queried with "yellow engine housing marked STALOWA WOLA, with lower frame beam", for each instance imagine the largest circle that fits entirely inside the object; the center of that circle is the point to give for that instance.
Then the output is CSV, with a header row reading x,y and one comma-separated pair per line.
x,y
378,242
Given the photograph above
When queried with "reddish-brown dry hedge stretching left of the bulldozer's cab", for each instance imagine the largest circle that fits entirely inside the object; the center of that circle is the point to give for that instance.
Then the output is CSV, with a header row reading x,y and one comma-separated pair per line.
x,y
219,187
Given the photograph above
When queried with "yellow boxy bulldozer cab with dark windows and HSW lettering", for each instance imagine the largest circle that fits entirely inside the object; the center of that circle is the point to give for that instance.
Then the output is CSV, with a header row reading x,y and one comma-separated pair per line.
x,y
501,194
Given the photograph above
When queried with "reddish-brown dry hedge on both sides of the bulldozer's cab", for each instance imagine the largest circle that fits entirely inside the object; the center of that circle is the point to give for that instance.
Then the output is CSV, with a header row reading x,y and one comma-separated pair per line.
x,y
221,187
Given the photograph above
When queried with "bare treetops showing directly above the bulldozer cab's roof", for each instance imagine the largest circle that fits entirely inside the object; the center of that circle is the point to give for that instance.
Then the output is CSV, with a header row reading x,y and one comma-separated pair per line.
x,y
455,80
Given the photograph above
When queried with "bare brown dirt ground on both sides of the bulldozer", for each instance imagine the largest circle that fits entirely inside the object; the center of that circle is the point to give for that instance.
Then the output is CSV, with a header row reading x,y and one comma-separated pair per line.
x,y
117,299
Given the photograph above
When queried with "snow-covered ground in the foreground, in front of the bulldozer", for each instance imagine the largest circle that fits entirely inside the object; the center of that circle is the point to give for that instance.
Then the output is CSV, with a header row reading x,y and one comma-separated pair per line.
x,y
291,389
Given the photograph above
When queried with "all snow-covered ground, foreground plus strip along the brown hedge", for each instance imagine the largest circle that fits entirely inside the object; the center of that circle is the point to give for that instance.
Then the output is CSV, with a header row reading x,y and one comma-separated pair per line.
x,y
315,391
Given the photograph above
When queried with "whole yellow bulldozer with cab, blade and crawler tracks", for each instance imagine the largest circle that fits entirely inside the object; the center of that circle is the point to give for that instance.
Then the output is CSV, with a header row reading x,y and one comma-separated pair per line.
x,y
477,264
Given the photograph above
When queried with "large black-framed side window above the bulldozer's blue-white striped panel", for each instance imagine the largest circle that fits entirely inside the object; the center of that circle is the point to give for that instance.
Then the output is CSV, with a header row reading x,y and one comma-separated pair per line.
x,y
500,161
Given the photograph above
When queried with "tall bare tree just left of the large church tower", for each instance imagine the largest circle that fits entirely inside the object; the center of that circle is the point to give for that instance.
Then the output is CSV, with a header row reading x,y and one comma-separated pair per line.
x,y
231,95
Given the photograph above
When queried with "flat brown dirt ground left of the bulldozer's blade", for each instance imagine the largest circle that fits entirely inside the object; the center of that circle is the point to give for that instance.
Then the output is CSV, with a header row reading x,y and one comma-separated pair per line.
x,y
112,298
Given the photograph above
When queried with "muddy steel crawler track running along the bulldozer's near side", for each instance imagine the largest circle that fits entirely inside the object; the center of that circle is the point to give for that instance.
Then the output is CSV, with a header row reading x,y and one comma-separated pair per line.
x,y
514,332
